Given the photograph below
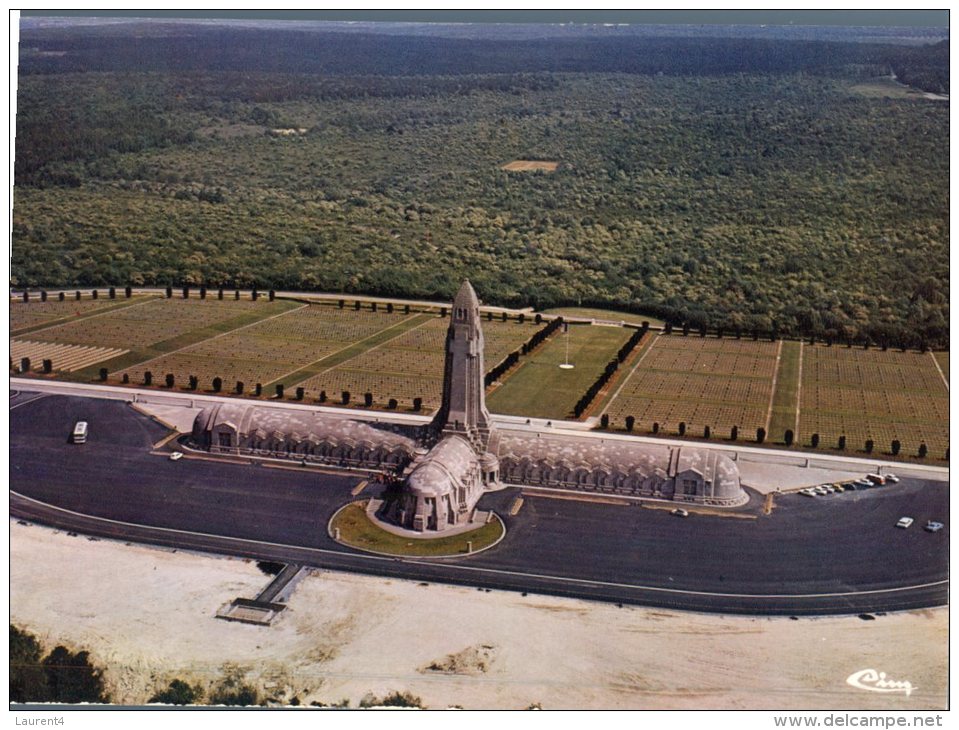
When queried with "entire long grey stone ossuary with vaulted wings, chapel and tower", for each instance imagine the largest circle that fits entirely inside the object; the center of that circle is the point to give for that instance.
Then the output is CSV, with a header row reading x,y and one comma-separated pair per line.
x,y
446,466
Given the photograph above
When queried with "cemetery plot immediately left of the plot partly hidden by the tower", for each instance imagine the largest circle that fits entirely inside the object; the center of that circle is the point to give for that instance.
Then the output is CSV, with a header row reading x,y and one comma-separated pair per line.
x,y
265,351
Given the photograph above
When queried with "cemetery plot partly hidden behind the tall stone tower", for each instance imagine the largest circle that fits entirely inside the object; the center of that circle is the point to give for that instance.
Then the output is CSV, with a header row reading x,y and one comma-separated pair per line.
x,y
411,365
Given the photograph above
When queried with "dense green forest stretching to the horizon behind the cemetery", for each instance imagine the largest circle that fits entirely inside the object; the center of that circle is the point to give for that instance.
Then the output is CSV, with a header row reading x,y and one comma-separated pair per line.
x,y
731,182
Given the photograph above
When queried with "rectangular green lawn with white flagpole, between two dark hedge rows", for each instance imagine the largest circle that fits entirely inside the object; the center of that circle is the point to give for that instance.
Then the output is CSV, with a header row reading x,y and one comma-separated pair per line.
x,y
540,388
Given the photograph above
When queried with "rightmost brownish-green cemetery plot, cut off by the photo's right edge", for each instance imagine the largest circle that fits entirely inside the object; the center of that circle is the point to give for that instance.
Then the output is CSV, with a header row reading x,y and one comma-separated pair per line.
x,y
873,395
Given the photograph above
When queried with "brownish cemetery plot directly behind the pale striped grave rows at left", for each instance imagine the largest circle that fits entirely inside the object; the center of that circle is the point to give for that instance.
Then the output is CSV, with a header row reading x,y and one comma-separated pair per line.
x,y
142,325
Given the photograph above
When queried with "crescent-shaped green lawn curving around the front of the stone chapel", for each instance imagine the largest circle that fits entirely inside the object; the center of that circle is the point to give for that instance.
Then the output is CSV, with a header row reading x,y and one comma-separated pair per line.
x,y
357,530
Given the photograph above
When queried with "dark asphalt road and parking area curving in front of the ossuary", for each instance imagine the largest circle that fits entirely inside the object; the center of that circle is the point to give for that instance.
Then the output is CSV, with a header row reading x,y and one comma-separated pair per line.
x,y
835,554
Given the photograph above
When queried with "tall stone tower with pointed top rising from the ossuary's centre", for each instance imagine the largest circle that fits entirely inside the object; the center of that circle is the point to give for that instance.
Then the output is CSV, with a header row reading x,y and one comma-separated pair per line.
x,y
463,410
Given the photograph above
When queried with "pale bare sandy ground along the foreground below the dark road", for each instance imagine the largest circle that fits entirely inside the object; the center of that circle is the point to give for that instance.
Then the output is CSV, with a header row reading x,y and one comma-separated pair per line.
x,y
147,616
